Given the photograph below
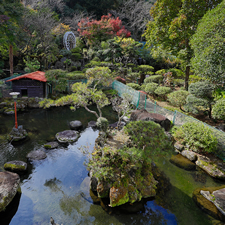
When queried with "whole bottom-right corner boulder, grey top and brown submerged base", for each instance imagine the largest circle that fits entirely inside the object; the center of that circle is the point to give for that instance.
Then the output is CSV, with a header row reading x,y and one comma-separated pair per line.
x,y
206,200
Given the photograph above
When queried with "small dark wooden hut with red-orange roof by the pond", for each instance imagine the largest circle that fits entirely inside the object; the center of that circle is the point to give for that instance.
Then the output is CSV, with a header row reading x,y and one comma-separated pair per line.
x,y
31,85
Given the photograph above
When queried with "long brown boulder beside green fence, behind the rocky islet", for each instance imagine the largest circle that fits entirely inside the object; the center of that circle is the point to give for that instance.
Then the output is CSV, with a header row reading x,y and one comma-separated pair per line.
x,y
144,115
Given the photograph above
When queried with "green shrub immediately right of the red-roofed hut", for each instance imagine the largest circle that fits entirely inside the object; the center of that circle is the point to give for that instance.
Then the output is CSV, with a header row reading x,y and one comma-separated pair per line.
x,y
58,79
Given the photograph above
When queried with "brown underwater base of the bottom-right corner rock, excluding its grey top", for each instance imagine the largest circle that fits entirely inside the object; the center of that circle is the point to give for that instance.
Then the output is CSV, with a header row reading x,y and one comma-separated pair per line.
x,y
207,205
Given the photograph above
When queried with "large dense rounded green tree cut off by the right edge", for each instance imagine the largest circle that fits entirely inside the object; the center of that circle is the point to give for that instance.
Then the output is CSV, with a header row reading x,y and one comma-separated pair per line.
x,y
208,45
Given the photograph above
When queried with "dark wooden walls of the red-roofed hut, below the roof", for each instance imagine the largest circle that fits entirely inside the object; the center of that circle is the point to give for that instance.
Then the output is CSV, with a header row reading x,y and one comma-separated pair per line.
x,y
31,88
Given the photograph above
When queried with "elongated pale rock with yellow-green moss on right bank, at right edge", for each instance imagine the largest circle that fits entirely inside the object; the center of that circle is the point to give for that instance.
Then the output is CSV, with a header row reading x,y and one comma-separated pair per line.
x,y
210,167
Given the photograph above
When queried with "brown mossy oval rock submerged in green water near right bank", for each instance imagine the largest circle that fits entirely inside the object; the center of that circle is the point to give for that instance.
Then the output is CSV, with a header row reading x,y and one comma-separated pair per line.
x,y
182,162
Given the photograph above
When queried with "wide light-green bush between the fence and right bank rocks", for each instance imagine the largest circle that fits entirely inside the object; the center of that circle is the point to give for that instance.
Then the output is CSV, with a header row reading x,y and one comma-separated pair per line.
x,y
197,137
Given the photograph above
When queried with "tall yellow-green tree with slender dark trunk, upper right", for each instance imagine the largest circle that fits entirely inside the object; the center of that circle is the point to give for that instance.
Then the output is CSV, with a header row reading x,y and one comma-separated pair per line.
x,y
174,23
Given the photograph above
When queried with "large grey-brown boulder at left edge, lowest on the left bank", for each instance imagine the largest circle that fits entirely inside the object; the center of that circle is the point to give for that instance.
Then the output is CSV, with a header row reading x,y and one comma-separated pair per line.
x,y
9,184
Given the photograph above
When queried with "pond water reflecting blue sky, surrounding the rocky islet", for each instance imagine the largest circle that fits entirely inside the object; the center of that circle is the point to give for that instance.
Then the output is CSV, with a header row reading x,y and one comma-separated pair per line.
x,y
54,185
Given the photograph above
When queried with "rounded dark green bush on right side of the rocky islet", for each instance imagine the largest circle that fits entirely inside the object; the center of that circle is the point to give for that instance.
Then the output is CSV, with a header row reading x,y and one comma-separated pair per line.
x,y
147,136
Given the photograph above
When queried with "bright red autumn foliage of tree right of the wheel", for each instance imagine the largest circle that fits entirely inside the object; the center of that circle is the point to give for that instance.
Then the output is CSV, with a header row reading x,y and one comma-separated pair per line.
x,y
100,30
